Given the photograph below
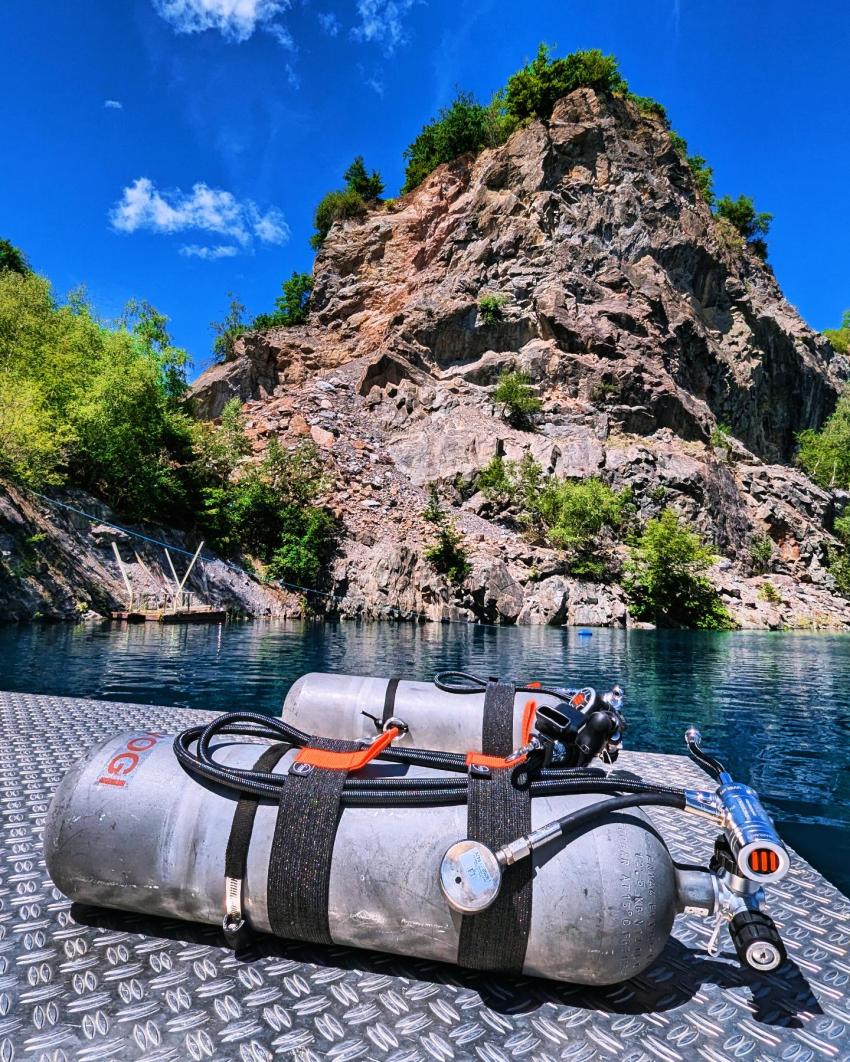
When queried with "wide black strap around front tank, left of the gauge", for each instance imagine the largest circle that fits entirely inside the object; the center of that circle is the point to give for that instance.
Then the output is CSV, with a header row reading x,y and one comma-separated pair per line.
x,y
303,847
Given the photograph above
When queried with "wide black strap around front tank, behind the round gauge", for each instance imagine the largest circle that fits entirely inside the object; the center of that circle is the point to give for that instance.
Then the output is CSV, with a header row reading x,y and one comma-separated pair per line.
x,y
499,813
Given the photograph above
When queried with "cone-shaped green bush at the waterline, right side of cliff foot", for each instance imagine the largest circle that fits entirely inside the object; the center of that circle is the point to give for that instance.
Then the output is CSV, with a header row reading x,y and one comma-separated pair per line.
x,y
666,578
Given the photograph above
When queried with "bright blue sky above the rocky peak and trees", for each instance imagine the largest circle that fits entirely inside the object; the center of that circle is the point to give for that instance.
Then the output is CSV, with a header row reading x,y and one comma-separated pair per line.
x,y
174,150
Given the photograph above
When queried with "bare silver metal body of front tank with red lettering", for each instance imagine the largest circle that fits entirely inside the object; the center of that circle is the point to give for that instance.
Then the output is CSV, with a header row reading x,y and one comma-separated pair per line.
x,y
130,829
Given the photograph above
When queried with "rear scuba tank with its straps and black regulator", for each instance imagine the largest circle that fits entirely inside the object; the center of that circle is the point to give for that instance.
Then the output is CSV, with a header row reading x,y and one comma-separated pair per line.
x,y
451,714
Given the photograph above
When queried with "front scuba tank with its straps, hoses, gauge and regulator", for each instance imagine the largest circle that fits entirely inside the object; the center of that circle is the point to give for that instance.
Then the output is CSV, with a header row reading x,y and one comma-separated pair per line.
x,y
413,851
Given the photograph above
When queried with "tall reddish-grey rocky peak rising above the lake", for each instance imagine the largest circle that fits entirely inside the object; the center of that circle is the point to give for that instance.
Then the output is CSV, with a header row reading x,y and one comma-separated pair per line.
x,y
643,322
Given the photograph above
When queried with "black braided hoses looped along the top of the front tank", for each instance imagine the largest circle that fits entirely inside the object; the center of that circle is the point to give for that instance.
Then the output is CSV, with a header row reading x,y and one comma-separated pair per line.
x,y
379,792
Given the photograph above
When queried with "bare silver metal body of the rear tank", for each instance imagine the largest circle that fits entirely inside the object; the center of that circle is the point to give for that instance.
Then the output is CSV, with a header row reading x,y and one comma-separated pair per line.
x,y
348,706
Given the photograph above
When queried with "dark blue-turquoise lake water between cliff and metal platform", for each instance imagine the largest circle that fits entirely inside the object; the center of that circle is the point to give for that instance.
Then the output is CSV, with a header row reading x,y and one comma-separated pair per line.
x,y
773,707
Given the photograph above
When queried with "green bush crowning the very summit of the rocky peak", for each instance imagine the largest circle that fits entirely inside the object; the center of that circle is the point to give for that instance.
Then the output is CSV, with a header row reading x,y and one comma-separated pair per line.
x,y
533,92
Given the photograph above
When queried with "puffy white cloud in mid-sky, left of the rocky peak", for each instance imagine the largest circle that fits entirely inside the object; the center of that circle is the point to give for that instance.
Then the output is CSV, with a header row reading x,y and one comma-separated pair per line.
x,y
144,208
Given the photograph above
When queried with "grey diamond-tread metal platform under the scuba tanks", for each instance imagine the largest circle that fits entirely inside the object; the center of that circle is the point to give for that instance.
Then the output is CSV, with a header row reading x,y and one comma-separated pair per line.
x,y
84,985
